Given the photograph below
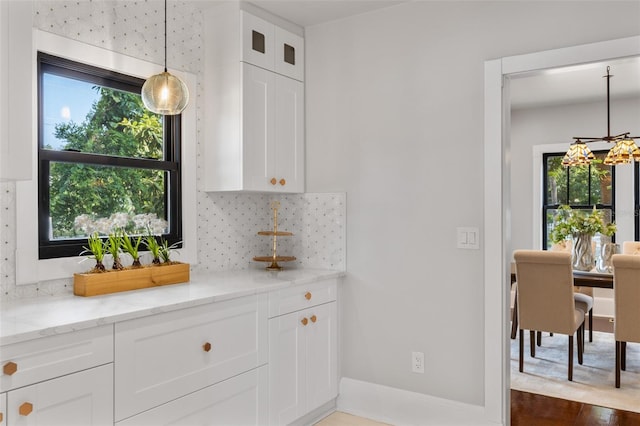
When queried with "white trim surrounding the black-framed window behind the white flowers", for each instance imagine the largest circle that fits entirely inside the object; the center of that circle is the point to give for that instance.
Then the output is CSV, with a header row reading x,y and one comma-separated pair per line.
x,y
29,269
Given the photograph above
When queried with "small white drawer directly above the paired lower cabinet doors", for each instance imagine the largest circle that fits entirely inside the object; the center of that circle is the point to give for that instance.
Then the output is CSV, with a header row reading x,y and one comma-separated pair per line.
x,y
301,296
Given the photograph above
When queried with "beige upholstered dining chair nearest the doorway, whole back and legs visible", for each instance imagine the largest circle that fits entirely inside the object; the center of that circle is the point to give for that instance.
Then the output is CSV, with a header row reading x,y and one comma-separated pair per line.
x,y
546,300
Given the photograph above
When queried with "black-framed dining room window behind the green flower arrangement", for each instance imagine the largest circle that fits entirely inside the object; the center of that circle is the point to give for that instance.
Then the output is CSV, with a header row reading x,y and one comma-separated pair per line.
x,y
579,187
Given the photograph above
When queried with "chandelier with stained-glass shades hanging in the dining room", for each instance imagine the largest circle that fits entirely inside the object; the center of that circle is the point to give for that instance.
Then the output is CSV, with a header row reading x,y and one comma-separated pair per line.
x,y
623,152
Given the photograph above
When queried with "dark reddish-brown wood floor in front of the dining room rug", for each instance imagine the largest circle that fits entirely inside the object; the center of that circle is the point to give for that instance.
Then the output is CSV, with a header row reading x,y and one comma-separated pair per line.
x,y
530,409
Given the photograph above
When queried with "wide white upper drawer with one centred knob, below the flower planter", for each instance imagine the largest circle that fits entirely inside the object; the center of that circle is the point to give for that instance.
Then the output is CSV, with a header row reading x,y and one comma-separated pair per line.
x,y
163,357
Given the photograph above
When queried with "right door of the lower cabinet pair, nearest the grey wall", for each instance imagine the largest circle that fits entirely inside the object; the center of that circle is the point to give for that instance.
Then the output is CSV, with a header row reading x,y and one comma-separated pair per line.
x,y
322,355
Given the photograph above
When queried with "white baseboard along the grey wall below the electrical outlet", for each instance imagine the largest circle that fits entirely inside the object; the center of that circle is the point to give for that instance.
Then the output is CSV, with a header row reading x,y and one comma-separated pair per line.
x,y
401,407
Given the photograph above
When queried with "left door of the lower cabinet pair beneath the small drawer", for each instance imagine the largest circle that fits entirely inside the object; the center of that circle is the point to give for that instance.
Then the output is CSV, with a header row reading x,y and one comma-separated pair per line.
x,y
287,366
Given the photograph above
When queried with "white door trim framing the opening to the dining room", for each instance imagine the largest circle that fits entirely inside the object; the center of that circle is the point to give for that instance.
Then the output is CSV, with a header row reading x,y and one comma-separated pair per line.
x,y
495,166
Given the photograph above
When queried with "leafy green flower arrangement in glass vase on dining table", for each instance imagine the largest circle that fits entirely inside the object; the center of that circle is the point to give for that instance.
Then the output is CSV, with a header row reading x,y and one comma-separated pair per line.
x,y
568,223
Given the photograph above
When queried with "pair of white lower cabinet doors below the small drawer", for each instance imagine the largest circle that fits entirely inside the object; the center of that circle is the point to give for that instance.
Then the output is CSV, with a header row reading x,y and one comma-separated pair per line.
x,y
302,362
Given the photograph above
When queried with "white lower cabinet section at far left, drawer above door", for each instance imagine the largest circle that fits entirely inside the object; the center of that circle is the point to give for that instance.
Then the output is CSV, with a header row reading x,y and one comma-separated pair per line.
x,y
64,379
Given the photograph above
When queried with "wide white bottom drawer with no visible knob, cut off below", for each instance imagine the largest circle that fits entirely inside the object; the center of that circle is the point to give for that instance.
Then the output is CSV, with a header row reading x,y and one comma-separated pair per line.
x,y
241,400
